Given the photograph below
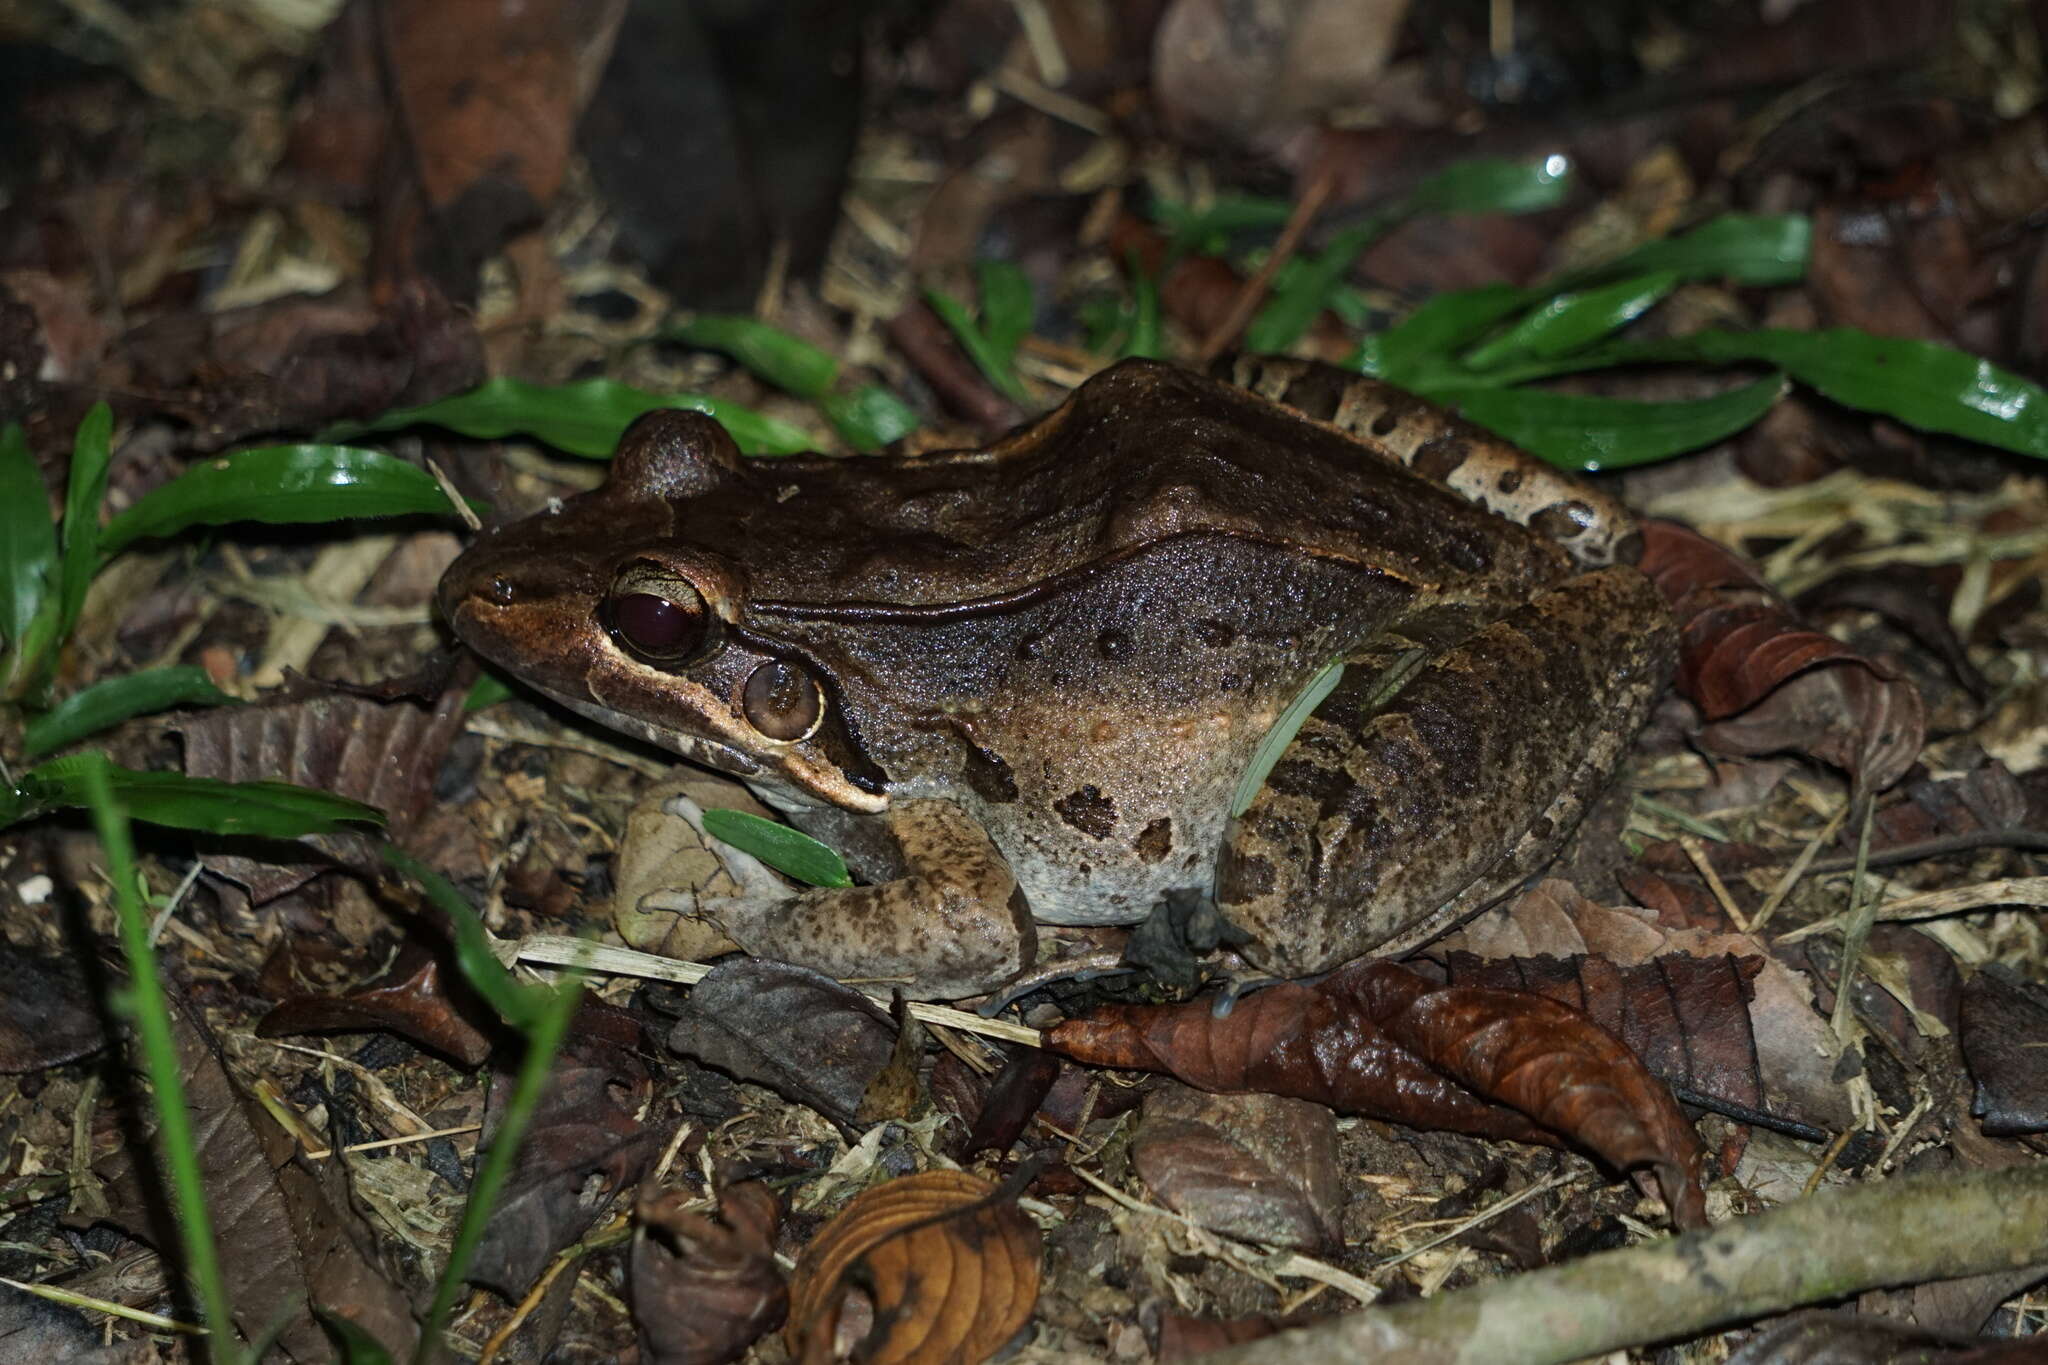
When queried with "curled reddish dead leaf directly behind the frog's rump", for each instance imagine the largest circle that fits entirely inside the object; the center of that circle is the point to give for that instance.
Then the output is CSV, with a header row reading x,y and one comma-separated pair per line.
x,y
1764,682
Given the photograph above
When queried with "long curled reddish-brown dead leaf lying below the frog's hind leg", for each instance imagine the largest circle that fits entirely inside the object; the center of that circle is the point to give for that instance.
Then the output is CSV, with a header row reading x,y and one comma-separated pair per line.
x,y
1381,1041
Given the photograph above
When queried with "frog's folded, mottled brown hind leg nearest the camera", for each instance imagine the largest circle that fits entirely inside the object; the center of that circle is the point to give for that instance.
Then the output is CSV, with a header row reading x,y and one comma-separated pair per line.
x,y
1392,818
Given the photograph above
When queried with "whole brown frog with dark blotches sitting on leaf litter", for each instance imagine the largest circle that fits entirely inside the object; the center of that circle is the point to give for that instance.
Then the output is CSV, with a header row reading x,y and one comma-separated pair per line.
x,y
1025,682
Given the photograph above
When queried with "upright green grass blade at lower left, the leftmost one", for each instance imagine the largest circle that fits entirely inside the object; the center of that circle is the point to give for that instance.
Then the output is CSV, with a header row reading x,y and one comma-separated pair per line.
x,y
151,1014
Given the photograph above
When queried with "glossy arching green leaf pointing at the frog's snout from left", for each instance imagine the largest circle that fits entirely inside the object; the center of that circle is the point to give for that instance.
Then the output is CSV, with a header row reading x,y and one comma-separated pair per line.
x,y
280,486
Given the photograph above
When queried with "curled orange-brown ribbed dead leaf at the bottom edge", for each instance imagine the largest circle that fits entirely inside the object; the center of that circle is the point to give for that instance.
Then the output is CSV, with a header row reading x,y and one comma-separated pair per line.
x,y
949,1268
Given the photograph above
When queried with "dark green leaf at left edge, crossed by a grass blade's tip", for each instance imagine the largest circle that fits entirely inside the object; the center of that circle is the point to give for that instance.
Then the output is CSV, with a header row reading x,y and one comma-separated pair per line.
x,y
265,809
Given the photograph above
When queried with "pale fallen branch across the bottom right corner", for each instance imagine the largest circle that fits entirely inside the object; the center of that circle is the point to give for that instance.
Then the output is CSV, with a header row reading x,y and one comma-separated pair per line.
x,y
1891,1233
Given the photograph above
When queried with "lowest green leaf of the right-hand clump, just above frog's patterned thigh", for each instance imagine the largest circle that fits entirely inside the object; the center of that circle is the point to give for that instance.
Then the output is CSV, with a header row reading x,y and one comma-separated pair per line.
x,y
1592,433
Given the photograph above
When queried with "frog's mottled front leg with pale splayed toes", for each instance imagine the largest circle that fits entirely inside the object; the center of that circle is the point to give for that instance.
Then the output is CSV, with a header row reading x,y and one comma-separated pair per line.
x,y
951,926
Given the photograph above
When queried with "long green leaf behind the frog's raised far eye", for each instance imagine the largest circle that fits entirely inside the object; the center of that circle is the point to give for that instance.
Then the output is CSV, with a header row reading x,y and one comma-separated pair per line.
x,y
585,419
